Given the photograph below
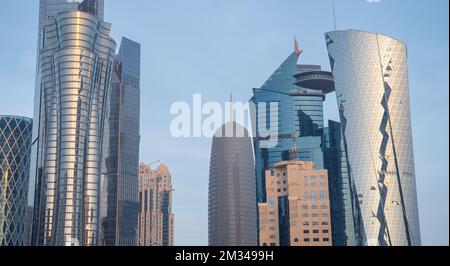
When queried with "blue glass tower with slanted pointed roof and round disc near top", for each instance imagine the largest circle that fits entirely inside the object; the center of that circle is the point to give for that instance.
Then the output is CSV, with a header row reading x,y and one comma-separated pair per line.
x,y
299,92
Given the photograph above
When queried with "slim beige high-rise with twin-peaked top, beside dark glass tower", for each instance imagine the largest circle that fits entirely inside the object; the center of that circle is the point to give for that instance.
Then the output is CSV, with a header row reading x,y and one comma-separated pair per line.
x,y
156,220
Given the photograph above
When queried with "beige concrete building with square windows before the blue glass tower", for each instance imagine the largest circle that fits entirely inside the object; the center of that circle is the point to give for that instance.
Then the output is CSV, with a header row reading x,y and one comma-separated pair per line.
x,y
297,211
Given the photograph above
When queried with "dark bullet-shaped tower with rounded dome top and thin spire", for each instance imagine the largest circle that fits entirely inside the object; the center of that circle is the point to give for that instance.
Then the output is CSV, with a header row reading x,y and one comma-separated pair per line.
x,y
232,207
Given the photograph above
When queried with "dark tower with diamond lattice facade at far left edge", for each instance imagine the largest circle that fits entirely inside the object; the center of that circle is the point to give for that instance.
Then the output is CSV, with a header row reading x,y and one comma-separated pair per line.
x,y
15,148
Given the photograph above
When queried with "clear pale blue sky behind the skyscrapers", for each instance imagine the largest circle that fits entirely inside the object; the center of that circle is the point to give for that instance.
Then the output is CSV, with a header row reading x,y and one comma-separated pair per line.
x,y
215,47
